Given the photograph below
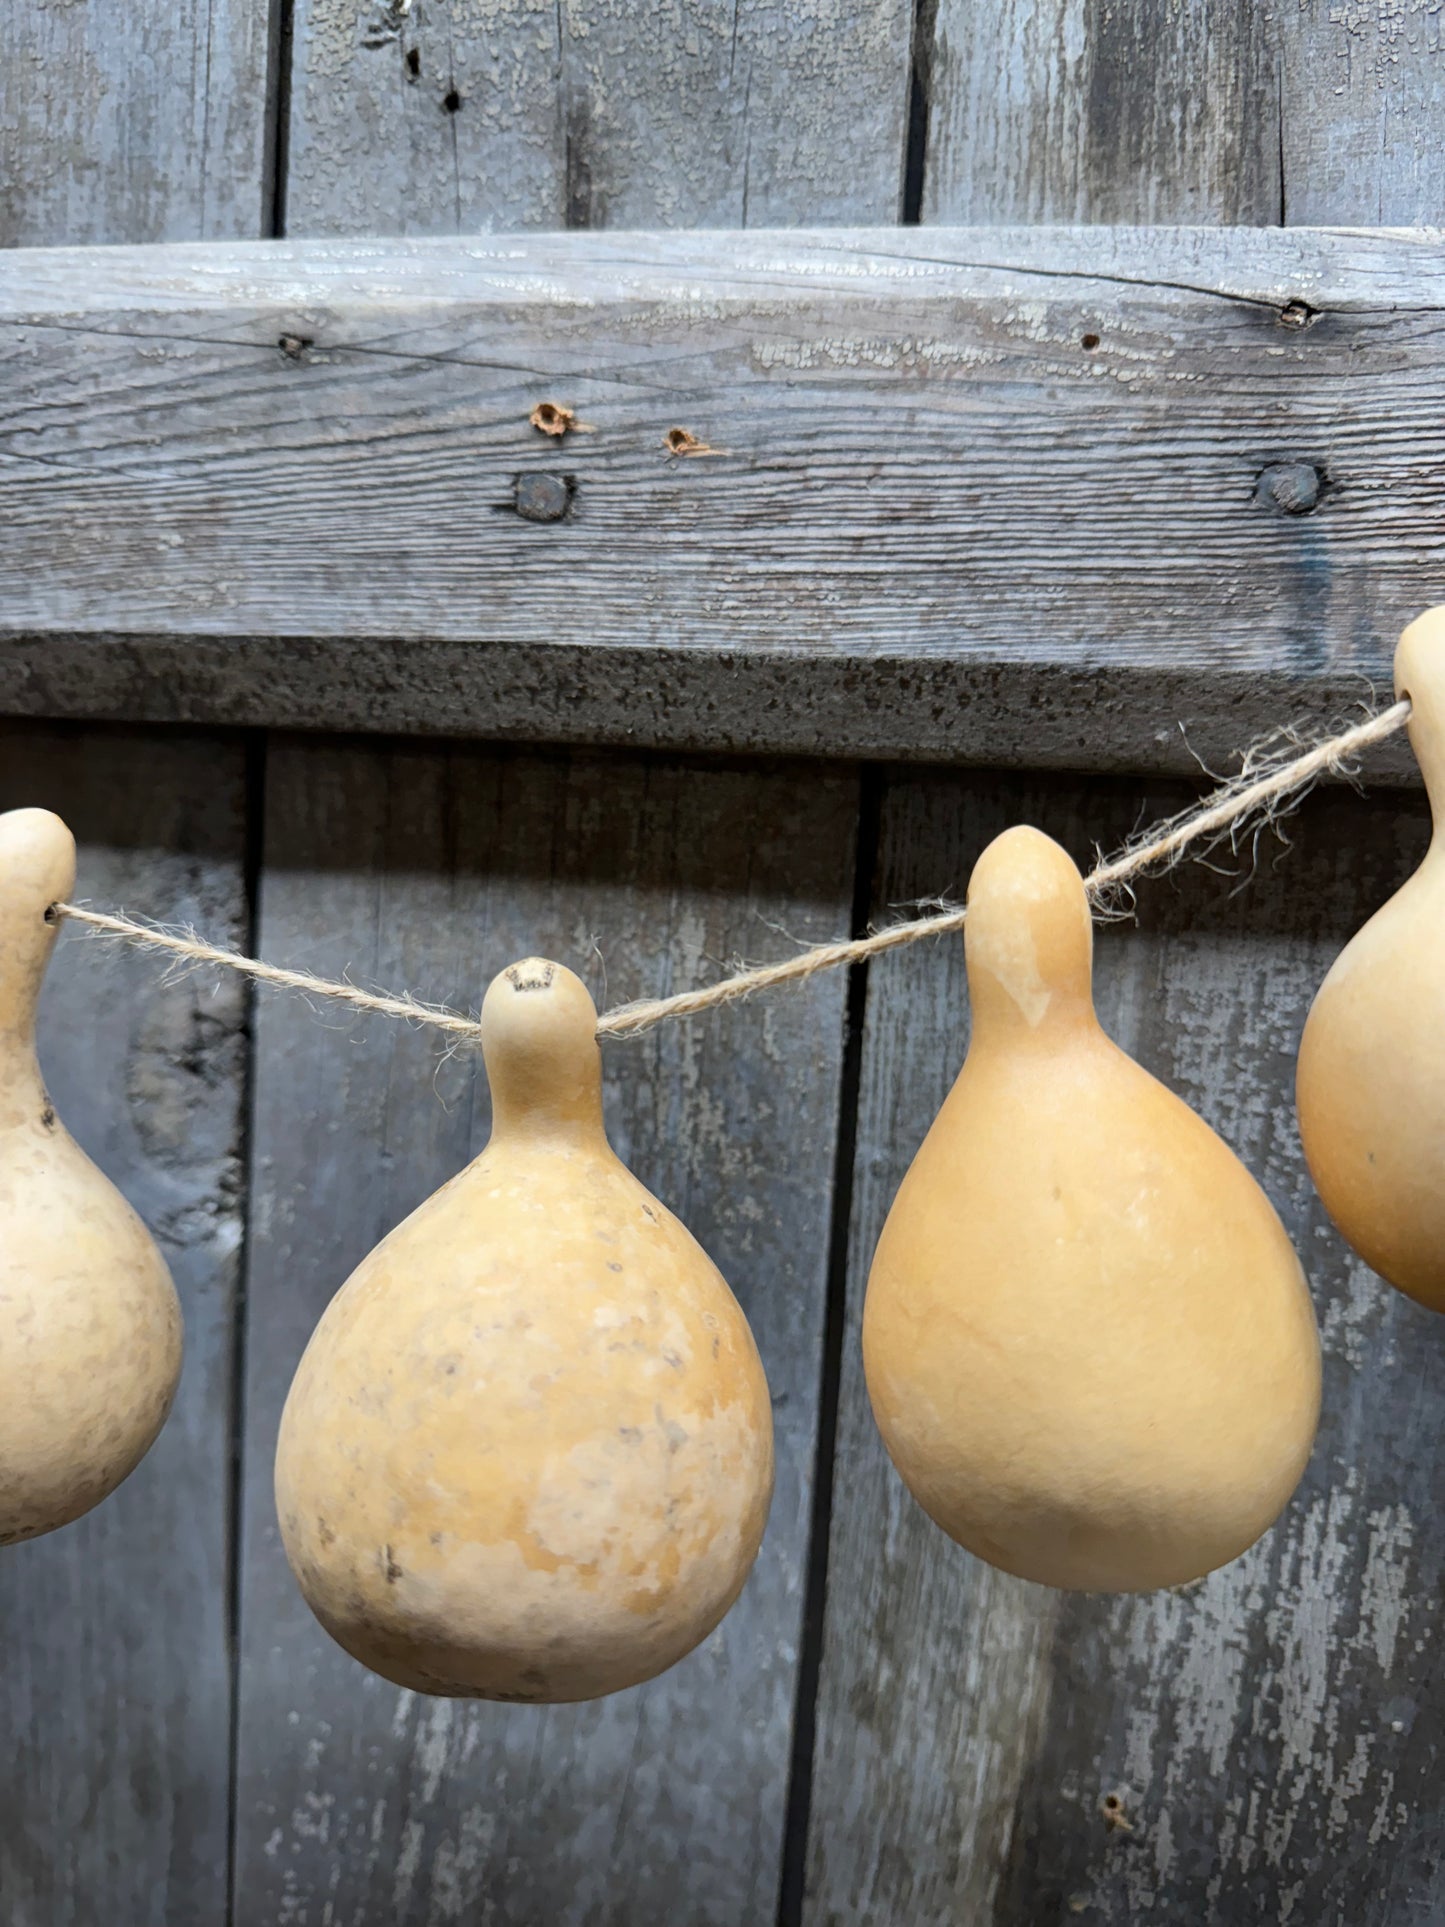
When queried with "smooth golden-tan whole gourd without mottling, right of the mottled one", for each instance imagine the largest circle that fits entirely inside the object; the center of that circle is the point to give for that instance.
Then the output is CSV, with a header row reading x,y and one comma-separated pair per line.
x,y
1088,1340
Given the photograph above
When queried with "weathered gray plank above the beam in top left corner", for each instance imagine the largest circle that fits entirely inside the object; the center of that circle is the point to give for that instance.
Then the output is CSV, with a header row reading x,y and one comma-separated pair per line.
x,y
142,122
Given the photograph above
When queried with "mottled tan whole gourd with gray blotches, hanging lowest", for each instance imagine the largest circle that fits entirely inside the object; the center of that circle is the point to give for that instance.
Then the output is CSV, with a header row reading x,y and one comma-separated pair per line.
x,y
529,1450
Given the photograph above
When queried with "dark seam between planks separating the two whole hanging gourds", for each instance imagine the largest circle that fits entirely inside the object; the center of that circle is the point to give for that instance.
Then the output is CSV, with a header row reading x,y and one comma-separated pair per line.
x,y
835,1325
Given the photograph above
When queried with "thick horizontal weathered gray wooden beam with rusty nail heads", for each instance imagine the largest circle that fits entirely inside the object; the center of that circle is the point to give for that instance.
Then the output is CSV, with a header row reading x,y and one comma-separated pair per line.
x,y
1093,498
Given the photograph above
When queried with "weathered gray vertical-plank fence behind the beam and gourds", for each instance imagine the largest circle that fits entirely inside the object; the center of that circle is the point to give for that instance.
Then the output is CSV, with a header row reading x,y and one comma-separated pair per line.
x,y
883,1731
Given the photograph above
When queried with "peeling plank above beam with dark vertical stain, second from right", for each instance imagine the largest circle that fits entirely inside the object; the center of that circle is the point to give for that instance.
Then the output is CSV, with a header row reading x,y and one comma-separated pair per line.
x,y
1101,111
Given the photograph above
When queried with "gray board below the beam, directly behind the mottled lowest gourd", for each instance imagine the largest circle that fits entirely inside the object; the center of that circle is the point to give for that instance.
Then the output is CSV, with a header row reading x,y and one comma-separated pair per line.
x,y
434,870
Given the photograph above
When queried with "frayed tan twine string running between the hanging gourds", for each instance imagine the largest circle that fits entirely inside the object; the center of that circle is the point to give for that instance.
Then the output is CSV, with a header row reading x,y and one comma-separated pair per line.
x,y
1269,783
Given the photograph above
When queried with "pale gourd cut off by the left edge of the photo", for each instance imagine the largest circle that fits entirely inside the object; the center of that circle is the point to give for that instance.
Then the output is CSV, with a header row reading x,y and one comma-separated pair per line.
x,y
90,1321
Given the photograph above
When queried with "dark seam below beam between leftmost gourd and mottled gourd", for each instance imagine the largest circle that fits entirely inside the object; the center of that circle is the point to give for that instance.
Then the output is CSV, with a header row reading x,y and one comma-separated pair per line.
x,y
253,866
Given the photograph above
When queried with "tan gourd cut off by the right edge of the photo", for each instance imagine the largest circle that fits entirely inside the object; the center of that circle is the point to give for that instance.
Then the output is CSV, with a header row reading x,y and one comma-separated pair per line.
x,y
1371,1086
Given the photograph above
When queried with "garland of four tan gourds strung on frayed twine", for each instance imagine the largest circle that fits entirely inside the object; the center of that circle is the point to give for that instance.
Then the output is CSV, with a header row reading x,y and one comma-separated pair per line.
x,y
527,1454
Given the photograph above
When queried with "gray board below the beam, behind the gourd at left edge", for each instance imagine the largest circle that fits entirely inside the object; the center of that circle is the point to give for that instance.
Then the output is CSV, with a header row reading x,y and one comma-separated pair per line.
x,y
115,1691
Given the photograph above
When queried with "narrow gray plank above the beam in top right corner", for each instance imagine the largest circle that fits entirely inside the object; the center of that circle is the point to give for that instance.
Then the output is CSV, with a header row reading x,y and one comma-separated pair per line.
x,y
1361,92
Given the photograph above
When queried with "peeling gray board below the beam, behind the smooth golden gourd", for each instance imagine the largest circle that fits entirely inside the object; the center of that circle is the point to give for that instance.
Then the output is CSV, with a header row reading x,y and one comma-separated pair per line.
x,y
1273,1733
